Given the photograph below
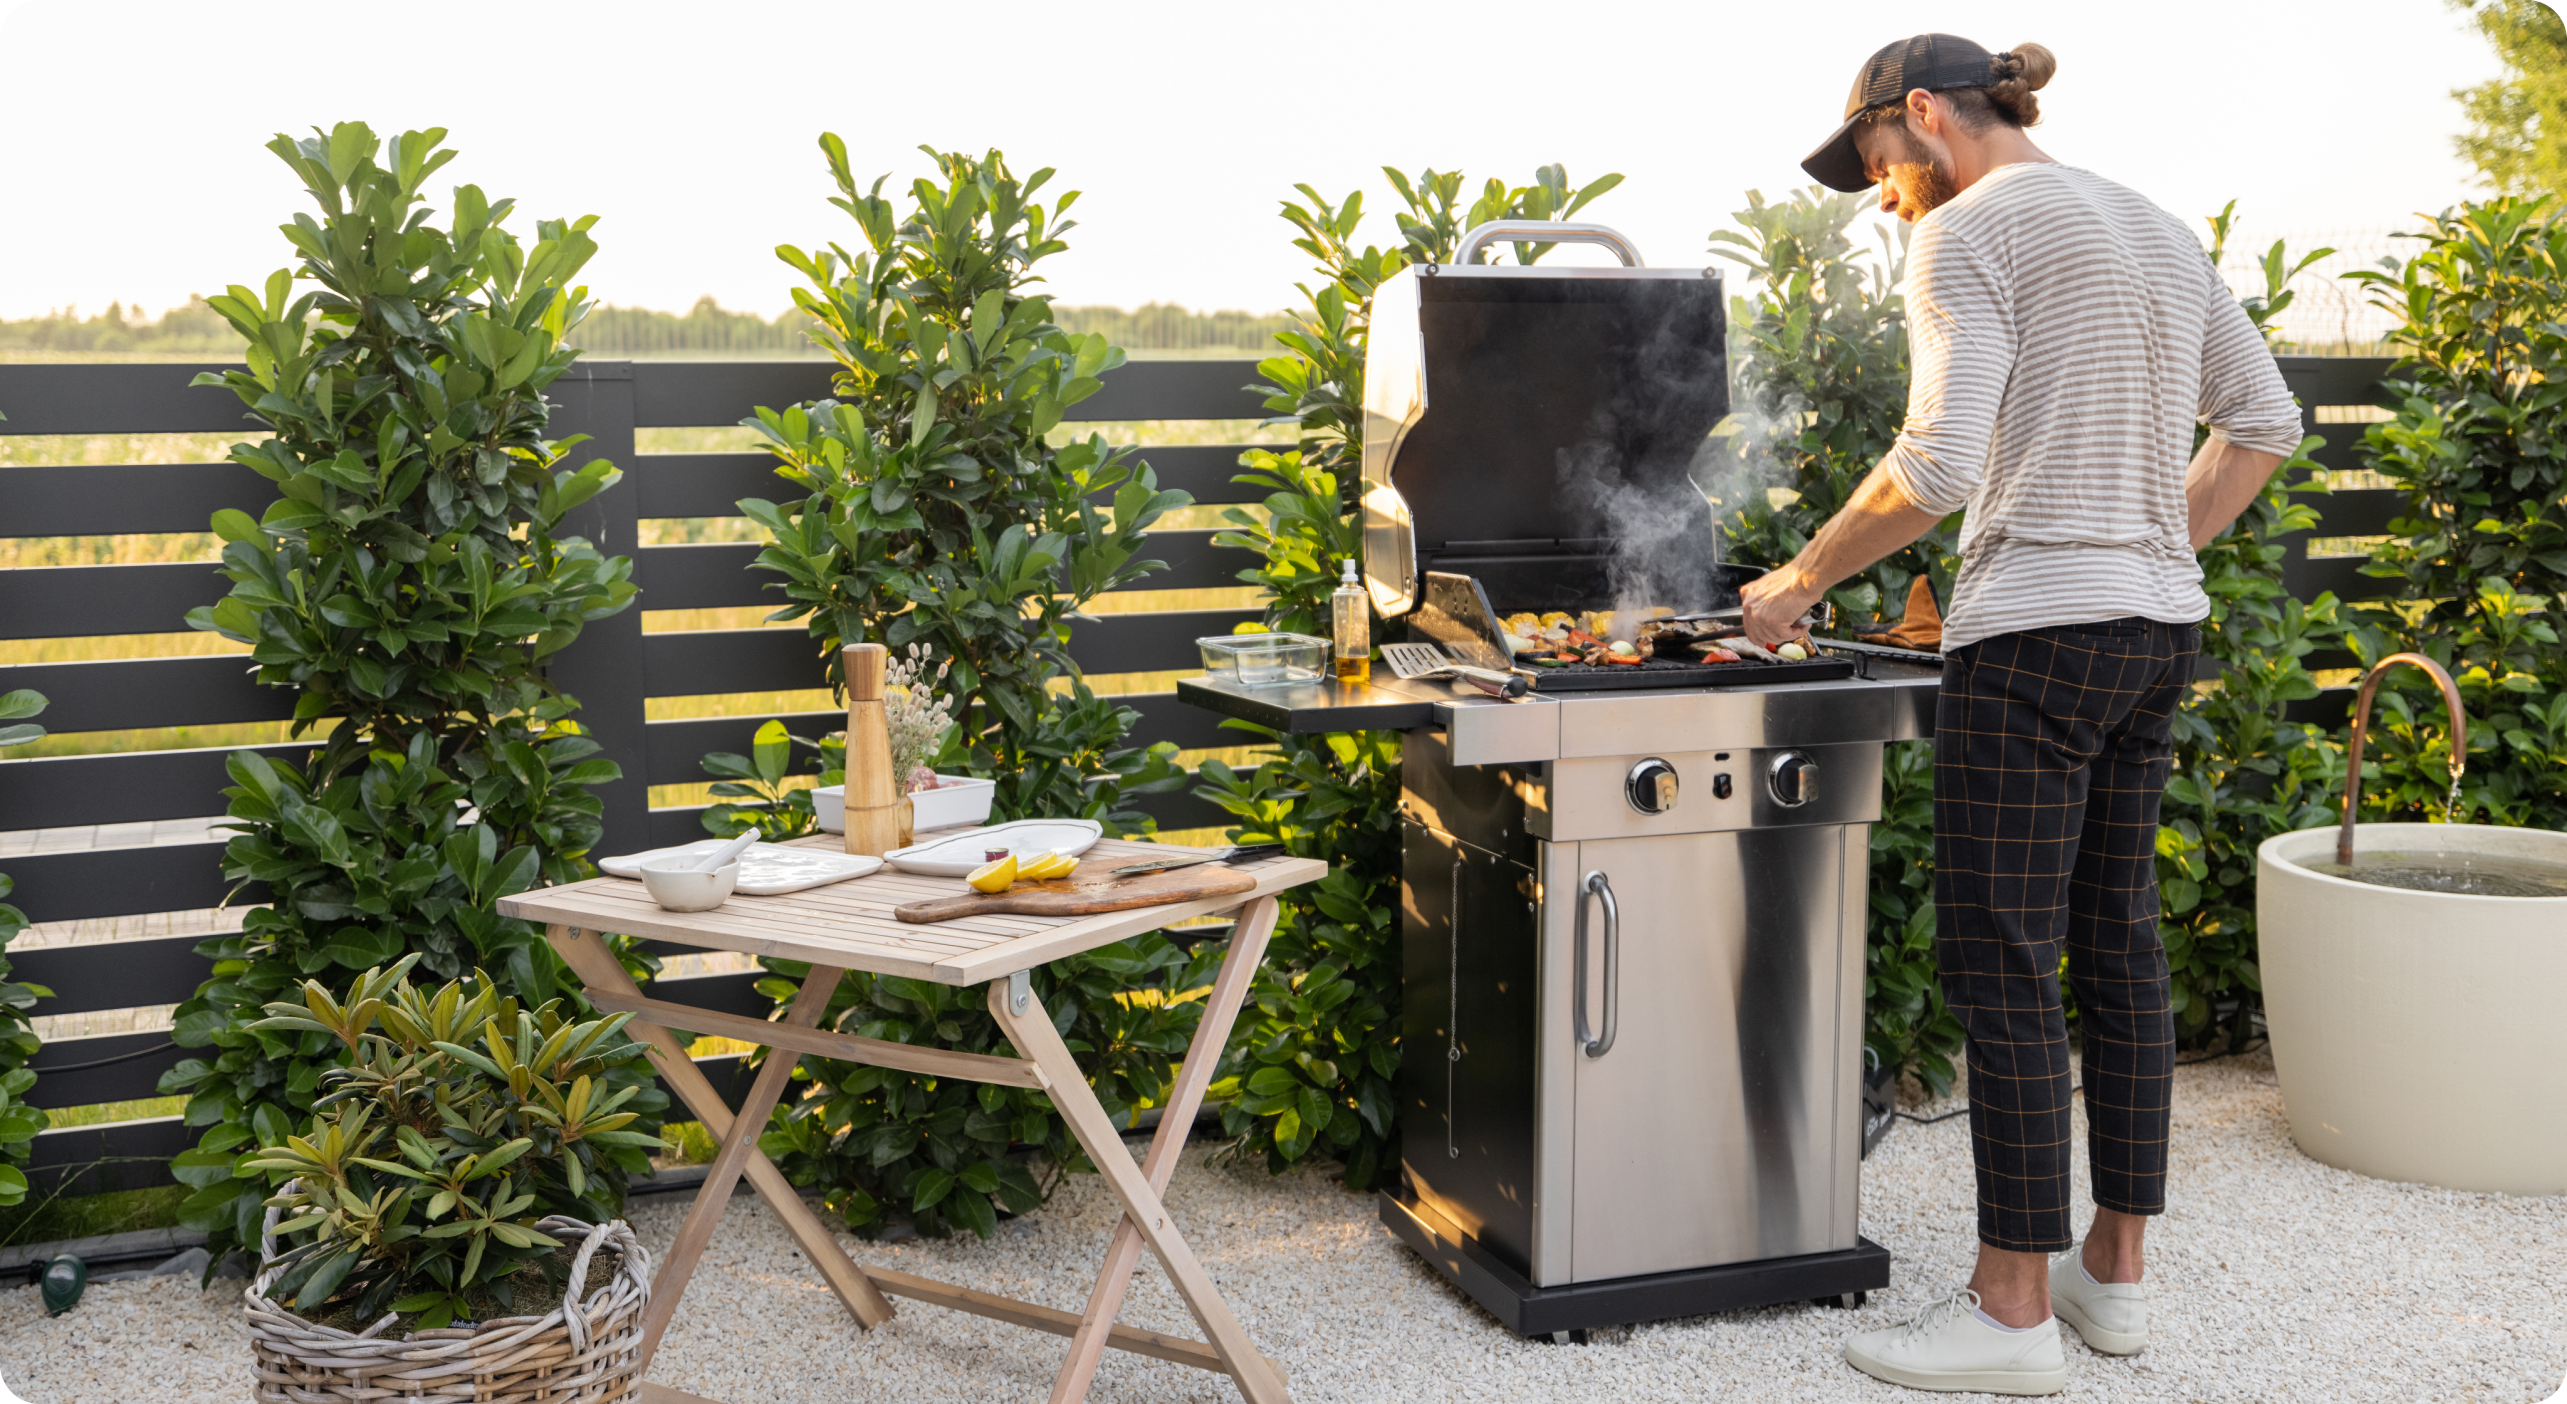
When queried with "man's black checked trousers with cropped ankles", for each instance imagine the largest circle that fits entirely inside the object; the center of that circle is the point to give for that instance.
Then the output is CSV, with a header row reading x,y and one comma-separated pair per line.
x,y
2052,756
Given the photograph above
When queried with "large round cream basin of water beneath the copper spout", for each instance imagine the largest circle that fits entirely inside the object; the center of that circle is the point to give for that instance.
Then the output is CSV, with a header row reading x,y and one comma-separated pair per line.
x,y
2417,1033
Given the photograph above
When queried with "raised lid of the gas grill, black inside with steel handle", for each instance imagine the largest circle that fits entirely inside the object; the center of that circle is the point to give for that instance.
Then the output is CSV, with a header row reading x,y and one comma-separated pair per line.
x,y
1518,422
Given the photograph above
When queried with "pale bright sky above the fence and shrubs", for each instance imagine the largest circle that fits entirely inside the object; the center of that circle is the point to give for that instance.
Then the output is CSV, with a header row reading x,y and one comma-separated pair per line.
x,y
132,135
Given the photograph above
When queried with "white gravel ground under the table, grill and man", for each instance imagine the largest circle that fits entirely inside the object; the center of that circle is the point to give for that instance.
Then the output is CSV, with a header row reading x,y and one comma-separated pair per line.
x,y
2273,1277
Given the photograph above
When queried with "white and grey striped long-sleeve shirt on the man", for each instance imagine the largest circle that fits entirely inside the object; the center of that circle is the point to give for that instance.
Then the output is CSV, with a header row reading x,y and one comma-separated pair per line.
x,y
2065,340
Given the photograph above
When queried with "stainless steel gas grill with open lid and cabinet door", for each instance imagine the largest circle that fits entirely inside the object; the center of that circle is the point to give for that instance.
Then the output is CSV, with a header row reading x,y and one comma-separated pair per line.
x,y
1631,918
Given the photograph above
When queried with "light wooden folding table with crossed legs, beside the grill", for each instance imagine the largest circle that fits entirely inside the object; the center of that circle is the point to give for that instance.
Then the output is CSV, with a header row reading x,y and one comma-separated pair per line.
x,y
851,928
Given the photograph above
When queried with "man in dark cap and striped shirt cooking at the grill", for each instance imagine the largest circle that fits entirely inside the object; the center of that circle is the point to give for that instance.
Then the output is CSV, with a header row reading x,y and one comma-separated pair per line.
x,y
2065,335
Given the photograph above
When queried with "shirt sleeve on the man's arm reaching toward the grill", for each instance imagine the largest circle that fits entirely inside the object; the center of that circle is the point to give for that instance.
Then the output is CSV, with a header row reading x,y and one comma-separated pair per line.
x,y
1962,350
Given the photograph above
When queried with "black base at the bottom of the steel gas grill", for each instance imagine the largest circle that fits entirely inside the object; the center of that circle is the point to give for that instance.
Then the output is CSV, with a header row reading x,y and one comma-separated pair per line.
x,y
1544,1310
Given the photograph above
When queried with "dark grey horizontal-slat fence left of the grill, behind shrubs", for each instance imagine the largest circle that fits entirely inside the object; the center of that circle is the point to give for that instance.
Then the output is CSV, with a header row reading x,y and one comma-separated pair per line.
x,y
602,402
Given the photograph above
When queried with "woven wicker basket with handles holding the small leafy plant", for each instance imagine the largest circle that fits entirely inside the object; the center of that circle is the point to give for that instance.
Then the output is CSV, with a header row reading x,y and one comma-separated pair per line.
x,y
579,1354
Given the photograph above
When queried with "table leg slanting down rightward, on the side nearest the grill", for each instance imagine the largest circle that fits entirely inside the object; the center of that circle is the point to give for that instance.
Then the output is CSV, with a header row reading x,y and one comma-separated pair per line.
x,y
1077,1102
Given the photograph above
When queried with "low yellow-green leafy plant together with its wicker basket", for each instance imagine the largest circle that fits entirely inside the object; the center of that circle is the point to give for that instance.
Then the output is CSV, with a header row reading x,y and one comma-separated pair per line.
x,y
445,1223
